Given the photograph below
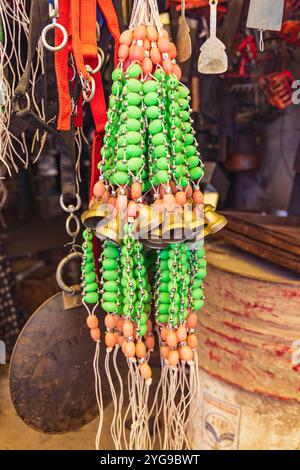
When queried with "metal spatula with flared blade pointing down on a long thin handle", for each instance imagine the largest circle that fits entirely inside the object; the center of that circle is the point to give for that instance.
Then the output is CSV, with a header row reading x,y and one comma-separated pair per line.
x,y
213,58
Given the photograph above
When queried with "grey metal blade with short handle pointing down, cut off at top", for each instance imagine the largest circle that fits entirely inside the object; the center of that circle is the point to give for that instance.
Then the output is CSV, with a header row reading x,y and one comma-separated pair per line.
x,y
265,15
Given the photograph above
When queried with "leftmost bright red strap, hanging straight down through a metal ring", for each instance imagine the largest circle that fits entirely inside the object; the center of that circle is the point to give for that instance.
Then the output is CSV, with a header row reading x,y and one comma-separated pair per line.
x,y
61,69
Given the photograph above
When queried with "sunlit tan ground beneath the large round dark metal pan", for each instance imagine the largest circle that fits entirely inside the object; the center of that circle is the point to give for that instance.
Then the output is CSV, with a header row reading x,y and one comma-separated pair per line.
x,y
16,435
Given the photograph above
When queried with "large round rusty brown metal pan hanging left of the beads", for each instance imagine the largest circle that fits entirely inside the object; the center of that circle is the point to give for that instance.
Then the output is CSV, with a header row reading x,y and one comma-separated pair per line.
x,y
51,372
